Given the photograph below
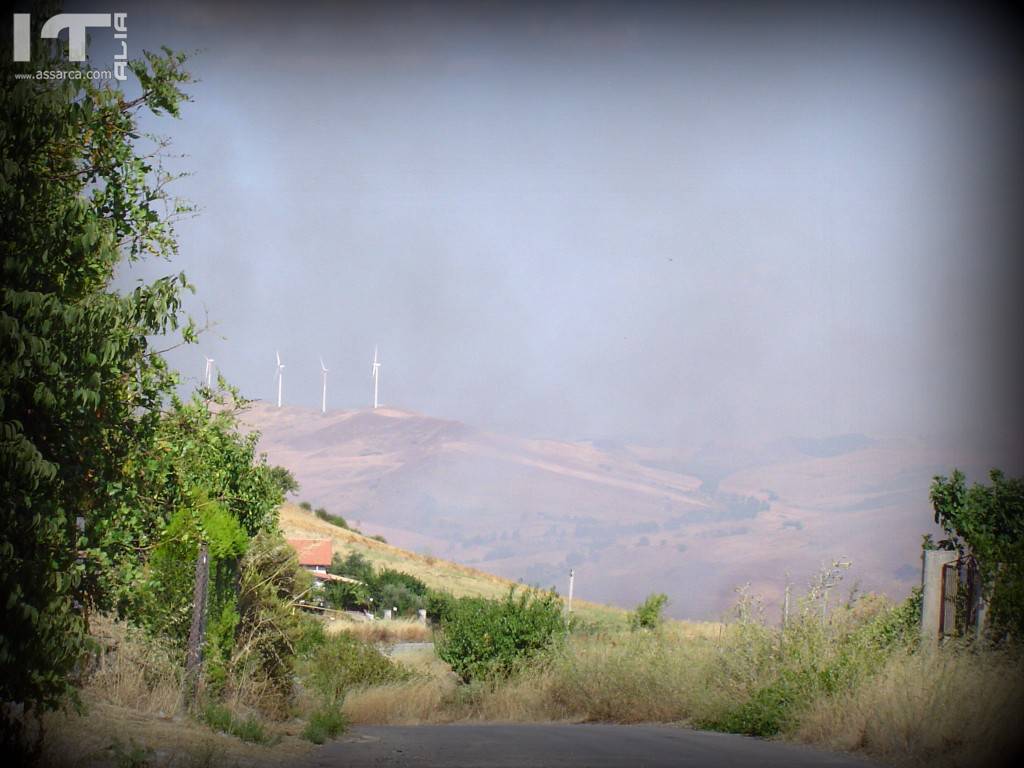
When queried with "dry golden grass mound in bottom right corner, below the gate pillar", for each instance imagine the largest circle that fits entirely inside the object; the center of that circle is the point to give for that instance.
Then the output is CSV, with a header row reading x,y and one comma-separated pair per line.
x,y
948,708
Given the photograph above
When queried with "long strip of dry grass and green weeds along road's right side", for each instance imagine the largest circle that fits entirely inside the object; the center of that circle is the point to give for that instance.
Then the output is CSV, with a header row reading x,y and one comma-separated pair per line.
x,y
825,680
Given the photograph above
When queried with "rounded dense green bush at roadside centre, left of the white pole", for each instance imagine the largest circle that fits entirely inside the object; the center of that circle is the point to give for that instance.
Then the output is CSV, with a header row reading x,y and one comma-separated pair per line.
x,y
484,638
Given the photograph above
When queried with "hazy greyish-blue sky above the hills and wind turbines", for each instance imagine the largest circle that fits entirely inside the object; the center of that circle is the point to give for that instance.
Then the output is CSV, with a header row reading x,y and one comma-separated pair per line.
x,y
608,220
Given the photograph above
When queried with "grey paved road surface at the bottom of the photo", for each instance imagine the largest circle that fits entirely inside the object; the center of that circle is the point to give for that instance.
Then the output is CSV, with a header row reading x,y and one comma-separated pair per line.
x,y
561,746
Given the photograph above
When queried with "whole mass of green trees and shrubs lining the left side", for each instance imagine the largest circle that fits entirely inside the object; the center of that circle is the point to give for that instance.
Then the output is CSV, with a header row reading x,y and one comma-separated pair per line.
x,y
112,484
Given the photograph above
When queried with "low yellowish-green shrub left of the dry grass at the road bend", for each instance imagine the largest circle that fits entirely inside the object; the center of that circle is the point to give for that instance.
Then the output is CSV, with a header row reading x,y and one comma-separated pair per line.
x,y
344,662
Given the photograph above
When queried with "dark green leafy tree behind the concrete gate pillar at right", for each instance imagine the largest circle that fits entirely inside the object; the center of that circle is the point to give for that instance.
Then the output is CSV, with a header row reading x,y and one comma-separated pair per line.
x,y
989,523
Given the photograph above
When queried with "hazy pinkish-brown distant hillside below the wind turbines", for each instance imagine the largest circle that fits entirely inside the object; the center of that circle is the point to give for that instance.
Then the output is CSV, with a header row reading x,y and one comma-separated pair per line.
x,y
631,520
